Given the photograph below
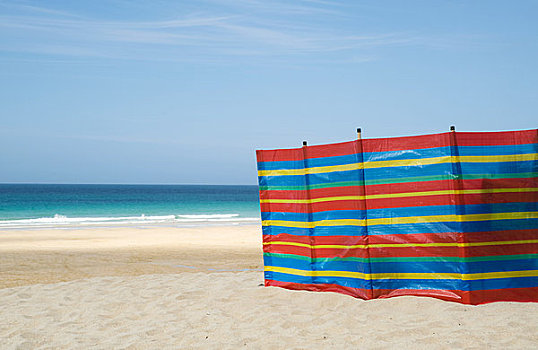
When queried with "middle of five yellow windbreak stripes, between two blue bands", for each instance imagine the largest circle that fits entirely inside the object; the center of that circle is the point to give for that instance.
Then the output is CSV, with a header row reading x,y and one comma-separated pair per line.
x,y
404,220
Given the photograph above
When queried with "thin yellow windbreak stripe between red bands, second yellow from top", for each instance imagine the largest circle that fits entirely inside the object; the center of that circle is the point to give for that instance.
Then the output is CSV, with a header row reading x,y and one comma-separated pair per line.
x,y
404,194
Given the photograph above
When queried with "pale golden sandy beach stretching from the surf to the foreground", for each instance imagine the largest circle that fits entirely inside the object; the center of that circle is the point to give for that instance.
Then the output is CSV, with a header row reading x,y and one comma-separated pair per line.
x,y
164,288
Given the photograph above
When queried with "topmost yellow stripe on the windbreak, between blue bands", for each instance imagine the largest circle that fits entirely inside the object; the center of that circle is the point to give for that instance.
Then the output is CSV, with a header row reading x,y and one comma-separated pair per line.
x,y
401,162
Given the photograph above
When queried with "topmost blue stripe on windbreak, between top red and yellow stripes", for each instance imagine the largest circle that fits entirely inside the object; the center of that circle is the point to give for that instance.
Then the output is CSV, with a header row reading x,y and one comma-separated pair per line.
x,y
402,155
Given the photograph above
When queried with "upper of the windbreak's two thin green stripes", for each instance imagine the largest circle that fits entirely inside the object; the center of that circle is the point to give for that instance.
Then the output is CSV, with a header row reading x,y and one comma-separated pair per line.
x,y
399,180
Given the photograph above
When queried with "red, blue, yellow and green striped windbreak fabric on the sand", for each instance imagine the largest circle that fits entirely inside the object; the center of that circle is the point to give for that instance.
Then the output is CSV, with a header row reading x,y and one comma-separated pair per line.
x,y
452,216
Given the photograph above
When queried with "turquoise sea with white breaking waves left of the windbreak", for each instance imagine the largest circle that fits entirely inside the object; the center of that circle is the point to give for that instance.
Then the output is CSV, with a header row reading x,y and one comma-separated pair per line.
x,y
24,206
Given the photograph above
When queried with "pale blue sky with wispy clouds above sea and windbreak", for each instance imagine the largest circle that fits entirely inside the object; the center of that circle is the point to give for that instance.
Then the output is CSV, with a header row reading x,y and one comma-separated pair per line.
x,y
184,92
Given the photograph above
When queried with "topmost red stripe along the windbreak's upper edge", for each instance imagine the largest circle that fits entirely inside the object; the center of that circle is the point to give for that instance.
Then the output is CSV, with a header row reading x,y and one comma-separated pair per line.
x,y
400,143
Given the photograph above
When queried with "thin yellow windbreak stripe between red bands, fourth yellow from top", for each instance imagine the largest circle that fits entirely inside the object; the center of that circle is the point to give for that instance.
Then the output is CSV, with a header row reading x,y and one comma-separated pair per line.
x,y
402,245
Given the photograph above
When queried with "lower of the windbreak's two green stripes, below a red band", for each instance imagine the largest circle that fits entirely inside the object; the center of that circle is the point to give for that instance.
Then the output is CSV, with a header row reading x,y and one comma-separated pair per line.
x,y
410,259
